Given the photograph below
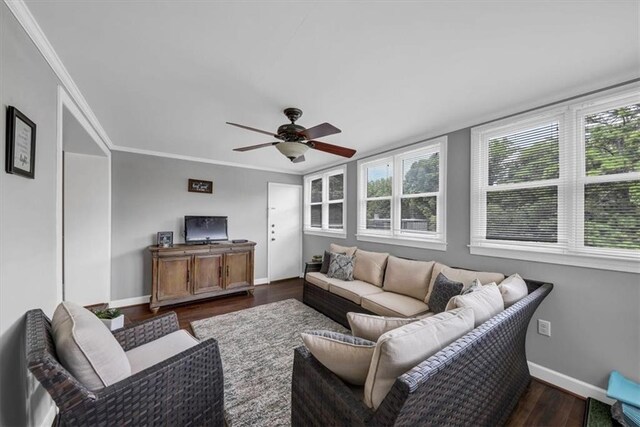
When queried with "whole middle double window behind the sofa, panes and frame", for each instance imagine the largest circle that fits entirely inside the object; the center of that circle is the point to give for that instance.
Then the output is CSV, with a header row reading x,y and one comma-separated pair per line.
x,y
401,197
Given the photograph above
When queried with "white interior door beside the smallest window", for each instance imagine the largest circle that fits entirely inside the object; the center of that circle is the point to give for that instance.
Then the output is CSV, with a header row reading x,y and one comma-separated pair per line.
x,y
285,231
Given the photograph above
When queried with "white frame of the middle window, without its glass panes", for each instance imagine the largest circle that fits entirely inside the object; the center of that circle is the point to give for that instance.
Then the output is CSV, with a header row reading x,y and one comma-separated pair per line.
x,y
396,236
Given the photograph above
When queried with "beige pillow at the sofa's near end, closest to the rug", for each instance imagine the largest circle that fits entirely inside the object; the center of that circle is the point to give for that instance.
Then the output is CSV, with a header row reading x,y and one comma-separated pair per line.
x,y
346,356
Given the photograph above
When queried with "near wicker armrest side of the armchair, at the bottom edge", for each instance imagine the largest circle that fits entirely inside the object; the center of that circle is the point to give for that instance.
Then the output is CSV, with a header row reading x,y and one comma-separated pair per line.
x,y
186,388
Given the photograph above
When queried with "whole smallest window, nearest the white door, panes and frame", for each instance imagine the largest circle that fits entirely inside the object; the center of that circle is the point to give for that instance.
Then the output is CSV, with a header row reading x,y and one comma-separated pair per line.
x,y
324,210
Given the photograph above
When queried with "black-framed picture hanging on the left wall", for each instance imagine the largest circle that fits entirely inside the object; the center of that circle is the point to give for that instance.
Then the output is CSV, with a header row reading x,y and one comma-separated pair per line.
x,y
21,144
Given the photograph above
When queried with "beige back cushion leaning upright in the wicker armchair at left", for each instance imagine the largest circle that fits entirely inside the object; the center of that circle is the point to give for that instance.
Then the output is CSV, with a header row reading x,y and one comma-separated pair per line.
x,y
87,348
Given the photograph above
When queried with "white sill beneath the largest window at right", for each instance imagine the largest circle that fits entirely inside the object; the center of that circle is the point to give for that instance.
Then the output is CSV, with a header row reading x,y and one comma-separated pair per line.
x,y
558,256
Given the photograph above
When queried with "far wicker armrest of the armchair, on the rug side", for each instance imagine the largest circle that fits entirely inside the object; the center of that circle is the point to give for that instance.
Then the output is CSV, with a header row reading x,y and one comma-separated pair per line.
x,y
136,334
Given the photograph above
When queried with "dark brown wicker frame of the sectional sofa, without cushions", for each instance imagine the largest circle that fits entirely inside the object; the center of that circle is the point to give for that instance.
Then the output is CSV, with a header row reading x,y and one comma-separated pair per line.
x,y
477,380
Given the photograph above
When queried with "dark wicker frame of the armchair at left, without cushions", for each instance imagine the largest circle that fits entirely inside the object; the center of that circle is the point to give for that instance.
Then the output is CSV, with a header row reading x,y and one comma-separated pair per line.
x,y
184,390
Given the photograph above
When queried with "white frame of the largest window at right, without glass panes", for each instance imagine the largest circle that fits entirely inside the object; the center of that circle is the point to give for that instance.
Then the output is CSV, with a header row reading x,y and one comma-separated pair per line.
x,y
569,249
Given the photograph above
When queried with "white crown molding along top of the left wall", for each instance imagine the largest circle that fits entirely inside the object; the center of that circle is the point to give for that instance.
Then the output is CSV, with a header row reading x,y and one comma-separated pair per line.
x,y
35,33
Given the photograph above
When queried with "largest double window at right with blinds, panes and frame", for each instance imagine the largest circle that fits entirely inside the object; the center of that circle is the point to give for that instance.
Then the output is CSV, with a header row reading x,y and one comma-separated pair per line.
x,y
561,185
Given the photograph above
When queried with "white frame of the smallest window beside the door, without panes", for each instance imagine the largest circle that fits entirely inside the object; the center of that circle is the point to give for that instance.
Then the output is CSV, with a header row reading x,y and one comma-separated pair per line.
x,y
325,230
